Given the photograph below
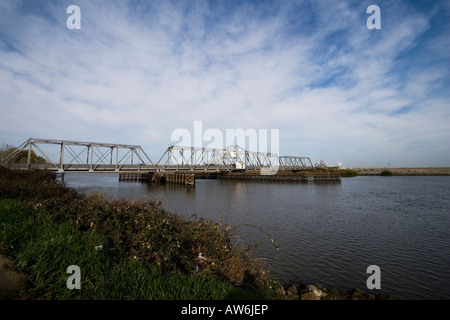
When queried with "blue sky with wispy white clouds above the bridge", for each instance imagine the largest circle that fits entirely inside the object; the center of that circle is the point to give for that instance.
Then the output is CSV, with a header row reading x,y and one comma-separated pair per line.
x,y
138,70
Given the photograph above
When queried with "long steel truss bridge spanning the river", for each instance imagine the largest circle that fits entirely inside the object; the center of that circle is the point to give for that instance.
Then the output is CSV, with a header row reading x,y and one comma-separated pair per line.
x,y
78,156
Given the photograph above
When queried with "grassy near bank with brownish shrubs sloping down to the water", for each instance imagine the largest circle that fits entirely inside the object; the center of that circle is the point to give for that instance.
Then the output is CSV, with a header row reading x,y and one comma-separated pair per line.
x,y
125,250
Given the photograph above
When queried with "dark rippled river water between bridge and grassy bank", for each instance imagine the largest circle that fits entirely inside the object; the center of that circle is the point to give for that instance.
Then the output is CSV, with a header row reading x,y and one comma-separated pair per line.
x,y
329,233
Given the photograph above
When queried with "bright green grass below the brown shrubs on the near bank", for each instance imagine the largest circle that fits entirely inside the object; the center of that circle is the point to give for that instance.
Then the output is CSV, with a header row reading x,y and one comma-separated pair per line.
x,y
43,250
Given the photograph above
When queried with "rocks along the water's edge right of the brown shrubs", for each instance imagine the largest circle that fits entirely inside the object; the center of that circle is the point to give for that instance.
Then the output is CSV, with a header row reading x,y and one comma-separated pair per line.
x,y
298,290
